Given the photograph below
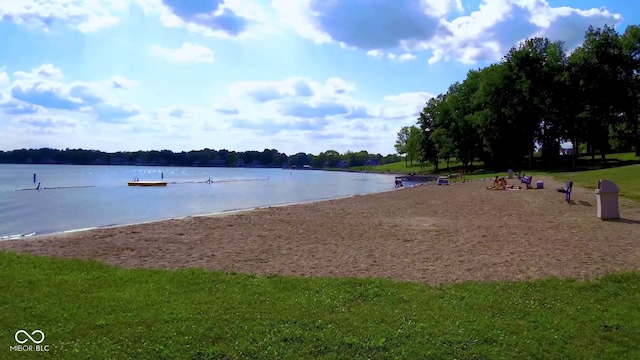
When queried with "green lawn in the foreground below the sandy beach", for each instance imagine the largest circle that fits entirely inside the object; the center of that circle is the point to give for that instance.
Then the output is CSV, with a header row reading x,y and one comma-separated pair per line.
x,y
89,310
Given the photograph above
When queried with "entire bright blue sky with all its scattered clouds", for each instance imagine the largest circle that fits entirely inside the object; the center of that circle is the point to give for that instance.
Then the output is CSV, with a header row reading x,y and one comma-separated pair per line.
x,y
294,75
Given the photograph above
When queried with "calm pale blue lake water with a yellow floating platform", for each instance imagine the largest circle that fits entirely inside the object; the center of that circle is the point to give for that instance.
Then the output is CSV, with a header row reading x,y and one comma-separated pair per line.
x,y
110,201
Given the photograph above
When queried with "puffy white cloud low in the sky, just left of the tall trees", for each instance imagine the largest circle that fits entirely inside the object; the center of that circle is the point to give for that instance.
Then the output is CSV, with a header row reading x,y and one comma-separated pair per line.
x,y
330,116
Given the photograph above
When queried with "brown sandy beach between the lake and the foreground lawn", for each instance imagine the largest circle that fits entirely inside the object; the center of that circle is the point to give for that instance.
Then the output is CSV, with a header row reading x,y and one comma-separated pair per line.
x,y
432,234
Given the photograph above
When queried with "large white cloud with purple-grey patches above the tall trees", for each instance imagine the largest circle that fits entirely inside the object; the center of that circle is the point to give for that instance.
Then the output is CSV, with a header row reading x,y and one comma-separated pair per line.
x,y
485,34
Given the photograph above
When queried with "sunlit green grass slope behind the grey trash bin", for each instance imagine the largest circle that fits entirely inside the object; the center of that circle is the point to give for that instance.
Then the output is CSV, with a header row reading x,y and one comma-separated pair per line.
x,y
626,177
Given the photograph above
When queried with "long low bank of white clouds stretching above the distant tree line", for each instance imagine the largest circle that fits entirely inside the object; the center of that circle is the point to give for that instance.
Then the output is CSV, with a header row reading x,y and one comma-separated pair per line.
x,y
303,114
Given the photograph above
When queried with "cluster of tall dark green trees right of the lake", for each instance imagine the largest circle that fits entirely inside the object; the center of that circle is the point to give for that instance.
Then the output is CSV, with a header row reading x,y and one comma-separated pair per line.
x,y
536,98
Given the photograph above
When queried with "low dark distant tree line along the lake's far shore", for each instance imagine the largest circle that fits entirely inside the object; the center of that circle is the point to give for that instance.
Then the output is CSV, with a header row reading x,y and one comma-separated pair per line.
x,y
206,157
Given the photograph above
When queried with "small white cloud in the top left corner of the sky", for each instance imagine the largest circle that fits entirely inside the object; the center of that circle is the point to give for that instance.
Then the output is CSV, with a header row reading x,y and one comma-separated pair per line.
x,y
85,16
